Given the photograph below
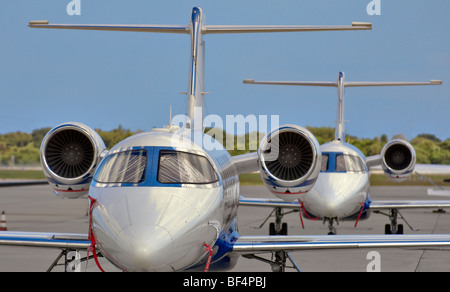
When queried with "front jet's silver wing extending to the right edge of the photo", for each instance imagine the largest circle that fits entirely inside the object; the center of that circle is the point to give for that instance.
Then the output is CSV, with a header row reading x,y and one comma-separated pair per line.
x,y
260,244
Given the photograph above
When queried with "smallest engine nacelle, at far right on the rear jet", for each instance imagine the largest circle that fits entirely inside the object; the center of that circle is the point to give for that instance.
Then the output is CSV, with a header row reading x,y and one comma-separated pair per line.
x,y
398,159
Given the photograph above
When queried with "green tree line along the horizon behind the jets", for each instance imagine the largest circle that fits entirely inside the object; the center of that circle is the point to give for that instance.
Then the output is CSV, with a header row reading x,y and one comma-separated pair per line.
x,y
21,148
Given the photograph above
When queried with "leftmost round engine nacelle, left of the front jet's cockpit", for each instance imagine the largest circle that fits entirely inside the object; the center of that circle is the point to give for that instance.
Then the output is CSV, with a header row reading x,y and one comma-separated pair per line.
x,y
70,153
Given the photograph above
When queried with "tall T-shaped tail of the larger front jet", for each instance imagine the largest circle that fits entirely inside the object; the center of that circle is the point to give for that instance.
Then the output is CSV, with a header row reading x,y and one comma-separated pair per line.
x,y
196,29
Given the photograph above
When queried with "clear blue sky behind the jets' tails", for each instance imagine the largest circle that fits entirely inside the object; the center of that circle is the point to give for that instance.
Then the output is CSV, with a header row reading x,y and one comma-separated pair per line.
x,y
104,79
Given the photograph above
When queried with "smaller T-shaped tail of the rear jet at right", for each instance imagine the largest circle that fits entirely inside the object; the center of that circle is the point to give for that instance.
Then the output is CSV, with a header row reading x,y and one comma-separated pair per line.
x,y
341,84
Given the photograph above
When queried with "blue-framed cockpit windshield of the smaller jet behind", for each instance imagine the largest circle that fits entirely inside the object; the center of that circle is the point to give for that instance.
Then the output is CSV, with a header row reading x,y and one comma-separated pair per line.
x,y
340,162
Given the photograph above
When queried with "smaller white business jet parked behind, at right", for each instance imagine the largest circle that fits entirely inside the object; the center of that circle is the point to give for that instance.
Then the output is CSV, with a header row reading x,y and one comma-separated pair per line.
x,y
341,191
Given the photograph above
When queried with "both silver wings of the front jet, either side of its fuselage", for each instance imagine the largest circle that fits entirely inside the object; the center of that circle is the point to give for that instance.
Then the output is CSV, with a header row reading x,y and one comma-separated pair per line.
x,y
246,244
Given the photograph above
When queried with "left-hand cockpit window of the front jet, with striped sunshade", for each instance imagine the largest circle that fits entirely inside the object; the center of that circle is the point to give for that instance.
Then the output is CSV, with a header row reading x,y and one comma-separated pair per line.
x,y
123,167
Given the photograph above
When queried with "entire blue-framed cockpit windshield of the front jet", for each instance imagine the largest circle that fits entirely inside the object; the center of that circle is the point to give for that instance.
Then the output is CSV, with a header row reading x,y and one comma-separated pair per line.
x,y
154,166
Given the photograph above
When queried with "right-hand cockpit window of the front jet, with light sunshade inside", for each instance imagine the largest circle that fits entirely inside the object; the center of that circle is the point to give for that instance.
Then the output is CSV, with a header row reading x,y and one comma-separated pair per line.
x,y
184,168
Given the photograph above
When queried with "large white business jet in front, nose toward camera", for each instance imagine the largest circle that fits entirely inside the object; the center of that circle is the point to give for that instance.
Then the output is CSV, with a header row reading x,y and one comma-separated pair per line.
x,y
162,202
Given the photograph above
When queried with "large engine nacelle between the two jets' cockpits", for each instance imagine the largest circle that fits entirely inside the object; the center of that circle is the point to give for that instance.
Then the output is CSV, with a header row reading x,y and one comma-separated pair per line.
x,y
290,161
